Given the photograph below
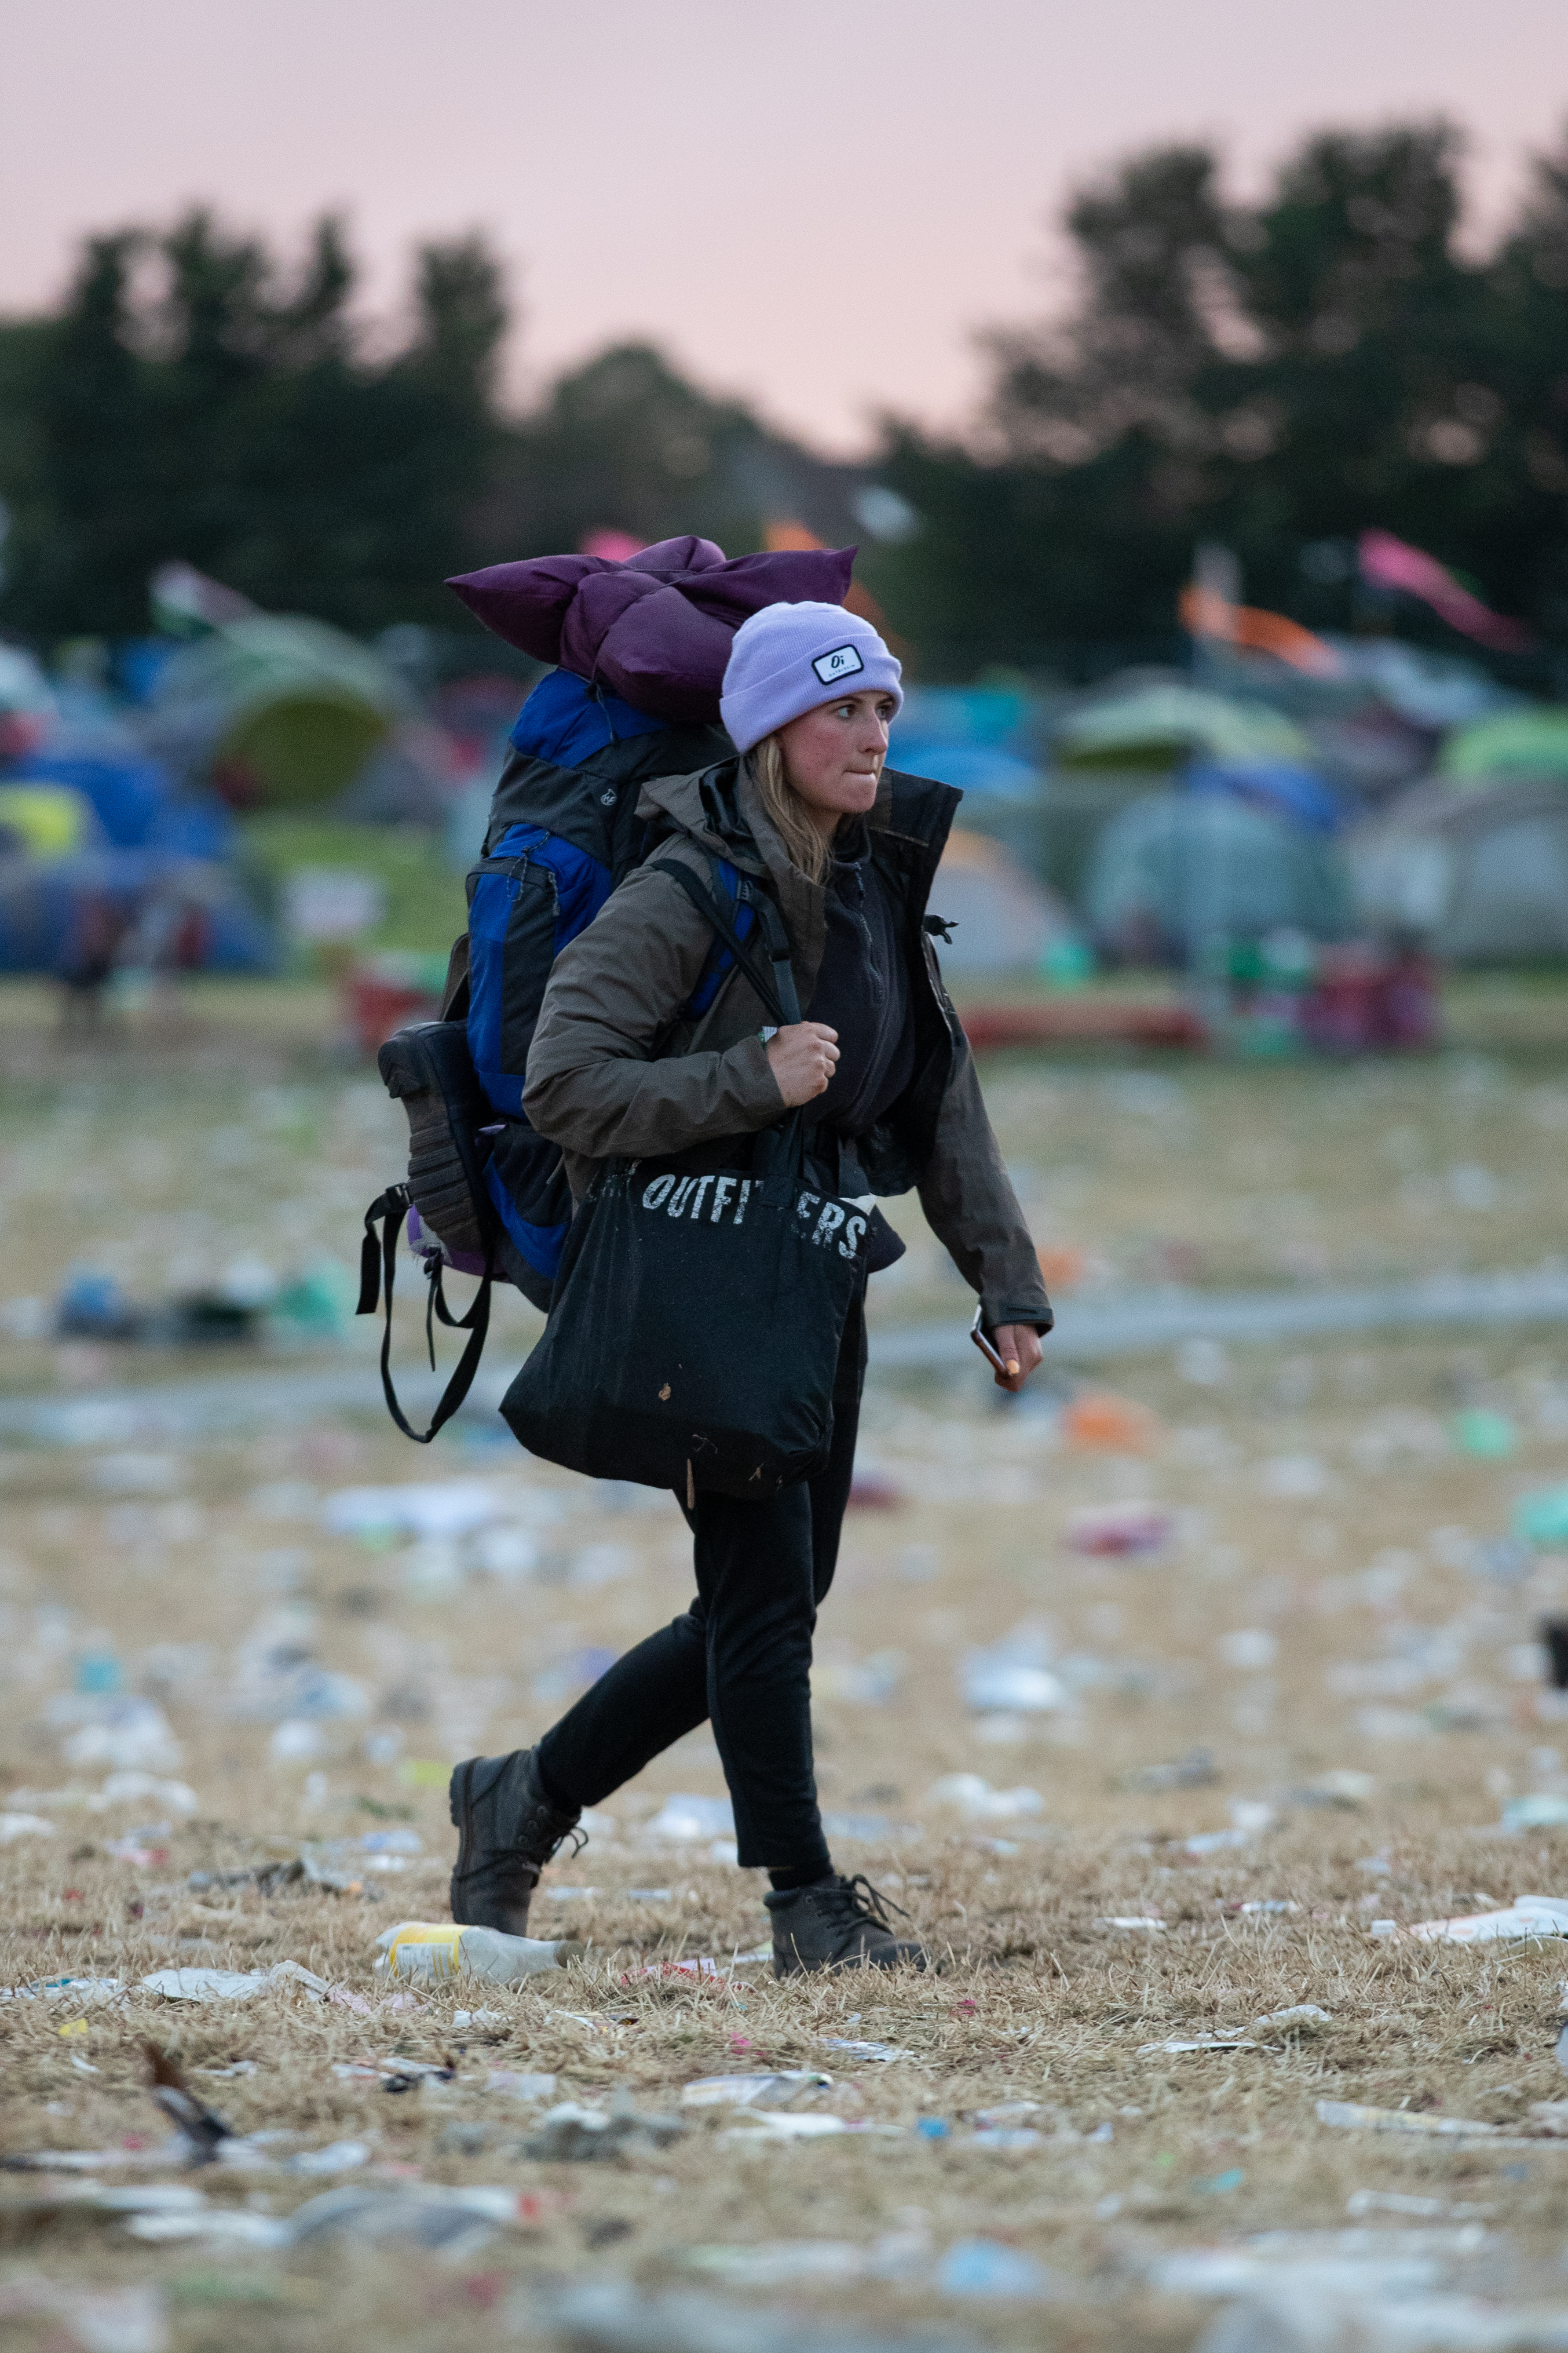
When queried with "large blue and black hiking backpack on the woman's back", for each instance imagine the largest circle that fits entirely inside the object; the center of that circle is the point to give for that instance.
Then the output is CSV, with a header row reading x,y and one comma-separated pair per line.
x,y
485,1192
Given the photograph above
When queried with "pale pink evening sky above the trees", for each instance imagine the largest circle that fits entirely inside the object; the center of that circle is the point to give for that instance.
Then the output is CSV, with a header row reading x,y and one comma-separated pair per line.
x,y
812,206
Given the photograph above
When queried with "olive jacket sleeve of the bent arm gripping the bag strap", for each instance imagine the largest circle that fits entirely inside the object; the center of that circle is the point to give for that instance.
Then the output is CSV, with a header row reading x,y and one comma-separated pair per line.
x,y
594,1084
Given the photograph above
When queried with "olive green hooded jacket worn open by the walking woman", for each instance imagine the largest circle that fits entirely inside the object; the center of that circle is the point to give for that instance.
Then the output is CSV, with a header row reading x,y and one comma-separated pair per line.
x,y
619,1069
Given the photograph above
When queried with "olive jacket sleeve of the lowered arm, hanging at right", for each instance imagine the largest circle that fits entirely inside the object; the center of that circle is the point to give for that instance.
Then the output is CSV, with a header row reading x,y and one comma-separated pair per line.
x,y
974,1213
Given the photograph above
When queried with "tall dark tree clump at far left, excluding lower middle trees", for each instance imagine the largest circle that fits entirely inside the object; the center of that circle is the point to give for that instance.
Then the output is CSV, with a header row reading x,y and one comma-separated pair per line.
x,y
187,404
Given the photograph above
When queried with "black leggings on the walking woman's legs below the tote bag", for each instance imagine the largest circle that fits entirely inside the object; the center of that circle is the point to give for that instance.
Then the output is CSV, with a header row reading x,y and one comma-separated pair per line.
x,y
742,1658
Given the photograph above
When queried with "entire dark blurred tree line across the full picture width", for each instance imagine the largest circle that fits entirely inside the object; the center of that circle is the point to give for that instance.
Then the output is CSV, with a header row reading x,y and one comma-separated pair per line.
x,y
1273,375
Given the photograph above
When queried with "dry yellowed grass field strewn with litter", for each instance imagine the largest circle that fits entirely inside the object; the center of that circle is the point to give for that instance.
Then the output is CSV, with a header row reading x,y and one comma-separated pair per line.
x,y
1329,1660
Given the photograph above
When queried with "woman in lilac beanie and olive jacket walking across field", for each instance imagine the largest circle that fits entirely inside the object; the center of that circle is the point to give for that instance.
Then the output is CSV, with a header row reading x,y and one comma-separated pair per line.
x,y
624,1065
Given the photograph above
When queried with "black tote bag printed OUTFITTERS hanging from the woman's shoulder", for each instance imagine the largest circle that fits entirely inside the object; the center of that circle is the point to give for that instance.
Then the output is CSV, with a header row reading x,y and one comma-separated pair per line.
x,y
697,1319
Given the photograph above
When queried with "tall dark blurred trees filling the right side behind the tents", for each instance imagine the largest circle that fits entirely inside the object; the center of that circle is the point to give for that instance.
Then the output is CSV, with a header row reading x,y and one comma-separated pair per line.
x,y
1275,378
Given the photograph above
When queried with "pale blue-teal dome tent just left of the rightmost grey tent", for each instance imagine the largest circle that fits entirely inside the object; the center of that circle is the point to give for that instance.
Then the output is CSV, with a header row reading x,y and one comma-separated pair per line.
x,y
1177,869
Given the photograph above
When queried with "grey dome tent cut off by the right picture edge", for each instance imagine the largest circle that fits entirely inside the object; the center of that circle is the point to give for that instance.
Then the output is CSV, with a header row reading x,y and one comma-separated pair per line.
x,y
1477,876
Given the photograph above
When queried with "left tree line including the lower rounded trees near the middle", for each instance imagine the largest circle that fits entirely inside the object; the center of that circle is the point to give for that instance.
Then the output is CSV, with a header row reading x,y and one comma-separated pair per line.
x,y
194,401
